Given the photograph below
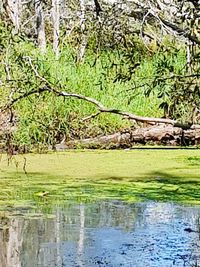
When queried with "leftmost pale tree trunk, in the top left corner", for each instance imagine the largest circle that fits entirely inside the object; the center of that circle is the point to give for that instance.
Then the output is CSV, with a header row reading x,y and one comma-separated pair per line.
x,y
14,8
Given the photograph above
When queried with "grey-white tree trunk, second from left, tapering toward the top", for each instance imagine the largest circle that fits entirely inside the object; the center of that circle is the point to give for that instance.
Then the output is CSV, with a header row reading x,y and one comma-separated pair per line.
x,y
40,25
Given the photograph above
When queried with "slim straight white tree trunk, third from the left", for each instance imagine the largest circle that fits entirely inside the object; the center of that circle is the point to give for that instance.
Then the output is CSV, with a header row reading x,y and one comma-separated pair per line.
x,y
56,25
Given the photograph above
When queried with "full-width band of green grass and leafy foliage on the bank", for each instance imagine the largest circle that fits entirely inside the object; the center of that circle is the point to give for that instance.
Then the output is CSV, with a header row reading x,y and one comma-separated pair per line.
x,y
135,77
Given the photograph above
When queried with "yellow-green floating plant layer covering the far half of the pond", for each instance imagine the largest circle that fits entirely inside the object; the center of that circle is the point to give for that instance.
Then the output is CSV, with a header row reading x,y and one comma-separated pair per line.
x,y
137,175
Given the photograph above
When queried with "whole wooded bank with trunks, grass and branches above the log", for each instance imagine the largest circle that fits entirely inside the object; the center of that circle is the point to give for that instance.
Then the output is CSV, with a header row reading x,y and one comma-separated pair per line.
x,y
63,62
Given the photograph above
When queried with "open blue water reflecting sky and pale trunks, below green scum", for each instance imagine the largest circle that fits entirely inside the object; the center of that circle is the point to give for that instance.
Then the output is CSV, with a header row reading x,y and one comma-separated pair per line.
x,y
102,234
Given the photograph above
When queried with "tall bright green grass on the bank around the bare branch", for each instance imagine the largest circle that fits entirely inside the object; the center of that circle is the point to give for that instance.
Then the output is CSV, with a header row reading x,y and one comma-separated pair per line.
x,y
45,119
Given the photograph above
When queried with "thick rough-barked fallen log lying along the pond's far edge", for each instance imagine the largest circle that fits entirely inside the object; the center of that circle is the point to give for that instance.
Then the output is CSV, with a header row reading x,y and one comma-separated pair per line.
x,y
156,135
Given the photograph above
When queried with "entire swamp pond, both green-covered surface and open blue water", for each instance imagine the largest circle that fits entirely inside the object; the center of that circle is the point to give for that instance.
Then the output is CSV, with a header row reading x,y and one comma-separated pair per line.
x,y
113,208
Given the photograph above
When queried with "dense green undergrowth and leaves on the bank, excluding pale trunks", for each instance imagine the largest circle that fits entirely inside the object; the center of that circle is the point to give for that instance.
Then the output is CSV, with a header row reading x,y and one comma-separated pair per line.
x,y
157,76
